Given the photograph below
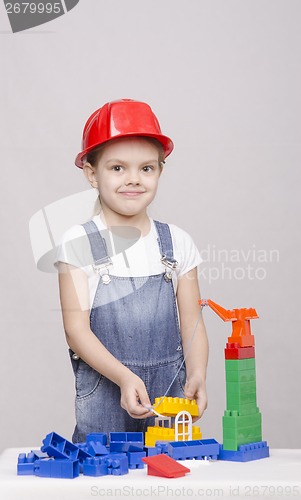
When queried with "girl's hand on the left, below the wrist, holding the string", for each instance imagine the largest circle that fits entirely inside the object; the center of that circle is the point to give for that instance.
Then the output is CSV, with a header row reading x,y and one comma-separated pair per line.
x,y
134,397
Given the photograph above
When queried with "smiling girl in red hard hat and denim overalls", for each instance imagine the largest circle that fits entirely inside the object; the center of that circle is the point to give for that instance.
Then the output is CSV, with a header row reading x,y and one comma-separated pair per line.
x,y
128,284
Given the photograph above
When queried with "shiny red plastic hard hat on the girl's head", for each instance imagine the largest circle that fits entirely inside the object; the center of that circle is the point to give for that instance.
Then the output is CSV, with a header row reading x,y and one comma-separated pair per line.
x,y
123,118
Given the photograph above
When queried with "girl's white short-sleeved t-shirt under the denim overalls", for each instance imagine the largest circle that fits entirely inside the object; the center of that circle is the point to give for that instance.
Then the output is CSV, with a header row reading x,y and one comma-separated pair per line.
x,y
131,254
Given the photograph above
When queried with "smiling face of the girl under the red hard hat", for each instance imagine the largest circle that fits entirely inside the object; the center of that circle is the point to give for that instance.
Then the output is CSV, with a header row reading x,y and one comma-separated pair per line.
x,y
127,176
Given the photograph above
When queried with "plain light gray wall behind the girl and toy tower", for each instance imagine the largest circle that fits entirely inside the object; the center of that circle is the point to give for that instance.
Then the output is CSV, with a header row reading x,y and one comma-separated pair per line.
x,y
224,79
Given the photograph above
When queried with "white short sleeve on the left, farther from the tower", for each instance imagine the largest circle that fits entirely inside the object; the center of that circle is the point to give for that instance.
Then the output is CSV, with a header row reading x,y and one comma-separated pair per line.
x,y
74,248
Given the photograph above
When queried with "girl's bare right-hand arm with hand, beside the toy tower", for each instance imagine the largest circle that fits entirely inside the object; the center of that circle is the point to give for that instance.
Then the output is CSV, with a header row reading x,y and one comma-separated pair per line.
x,y
188,295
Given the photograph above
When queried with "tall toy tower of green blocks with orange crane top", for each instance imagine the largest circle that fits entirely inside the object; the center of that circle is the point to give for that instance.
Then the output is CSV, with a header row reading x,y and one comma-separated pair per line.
x,y
242,431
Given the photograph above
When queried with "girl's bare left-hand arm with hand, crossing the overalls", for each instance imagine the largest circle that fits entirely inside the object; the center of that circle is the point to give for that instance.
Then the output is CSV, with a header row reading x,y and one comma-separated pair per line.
x,y
74,296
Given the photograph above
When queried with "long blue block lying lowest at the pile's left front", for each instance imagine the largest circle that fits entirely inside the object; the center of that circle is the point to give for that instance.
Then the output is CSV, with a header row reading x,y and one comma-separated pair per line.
x,y
56,467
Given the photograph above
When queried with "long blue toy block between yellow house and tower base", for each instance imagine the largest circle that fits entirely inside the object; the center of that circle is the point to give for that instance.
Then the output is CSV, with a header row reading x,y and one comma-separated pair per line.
x,y
188,450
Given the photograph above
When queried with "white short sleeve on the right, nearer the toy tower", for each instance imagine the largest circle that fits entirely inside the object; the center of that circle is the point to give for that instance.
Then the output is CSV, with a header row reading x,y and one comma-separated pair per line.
x,y
185,250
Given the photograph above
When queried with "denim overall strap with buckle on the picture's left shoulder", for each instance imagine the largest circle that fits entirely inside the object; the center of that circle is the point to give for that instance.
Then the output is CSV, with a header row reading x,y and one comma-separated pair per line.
x,y
99,251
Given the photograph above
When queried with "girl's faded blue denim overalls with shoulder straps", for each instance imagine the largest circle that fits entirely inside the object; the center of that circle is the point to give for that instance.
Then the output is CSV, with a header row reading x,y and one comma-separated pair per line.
x,y
136,319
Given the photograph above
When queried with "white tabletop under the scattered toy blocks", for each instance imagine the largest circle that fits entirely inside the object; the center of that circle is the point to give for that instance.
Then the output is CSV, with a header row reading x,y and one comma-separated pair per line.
x,y
278,476
